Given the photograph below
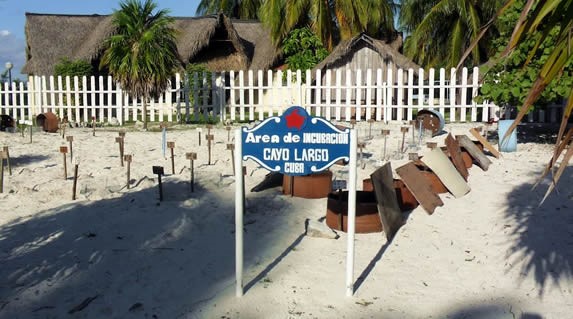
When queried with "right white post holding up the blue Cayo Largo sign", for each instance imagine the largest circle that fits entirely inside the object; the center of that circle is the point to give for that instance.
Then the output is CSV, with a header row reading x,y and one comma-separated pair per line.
x,y
351,215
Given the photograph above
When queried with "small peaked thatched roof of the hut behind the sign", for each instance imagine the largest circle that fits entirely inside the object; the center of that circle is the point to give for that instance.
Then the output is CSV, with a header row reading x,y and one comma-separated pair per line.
x,y
348,47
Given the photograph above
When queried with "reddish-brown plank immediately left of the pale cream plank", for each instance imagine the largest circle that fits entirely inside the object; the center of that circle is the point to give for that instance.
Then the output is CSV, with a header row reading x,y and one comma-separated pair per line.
x,y
420,188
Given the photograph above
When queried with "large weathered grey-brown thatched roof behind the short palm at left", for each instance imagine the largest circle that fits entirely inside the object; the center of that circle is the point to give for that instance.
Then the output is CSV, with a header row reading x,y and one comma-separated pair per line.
x,y
217,41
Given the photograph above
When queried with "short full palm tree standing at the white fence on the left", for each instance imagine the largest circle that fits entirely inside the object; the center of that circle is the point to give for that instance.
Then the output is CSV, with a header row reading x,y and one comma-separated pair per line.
x,y
142,54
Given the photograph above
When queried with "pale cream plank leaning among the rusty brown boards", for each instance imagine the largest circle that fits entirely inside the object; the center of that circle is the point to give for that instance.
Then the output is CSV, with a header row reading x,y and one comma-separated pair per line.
x,y
439,163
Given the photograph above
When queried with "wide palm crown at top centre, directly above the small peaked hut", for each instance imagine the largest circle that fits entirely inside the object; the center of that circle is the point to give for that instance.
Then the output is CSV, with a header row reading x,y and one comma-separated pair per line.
x,y
330,20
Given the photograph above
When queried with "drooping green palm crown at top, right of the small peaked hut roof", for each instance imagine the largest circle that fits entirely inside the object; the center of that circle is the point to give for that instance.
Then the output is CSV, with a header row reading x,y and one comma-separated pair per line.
x,y
441,30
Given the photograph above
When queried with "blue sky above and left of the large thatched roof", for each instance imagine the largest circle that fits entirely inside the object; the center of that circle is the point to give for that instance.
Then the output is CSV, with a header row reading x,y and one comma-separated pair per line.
x,y
13,19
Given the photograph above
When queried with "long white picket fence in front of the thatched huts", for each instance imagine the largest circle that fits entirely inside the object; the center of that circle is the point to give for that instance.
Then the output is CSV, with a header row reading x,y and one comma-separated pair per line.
x,y
250,96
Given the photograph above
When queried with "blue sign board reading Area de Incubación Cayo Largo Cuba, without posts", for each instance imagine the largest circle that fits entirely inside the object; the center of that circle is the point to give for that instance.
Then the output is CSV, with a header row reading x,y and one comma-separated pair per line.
x,y
296,143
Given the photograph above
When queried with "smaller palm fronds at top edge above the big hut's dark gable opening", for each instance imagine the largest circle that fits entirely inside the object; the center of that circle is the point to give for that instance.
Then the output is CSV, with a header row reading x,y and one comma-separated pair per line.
x,y
242,9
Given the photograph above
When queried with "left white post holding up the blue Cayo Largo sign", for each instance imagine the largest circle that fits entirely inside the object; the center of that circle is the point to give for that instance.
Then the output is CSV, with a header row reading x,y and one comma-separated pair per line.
x,y
239,198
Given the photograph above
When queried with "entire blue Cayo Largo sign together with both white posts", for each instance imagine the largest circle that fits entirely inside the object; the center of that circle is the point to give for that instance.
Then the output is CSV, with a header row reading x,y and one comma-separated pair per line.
x,y
295,144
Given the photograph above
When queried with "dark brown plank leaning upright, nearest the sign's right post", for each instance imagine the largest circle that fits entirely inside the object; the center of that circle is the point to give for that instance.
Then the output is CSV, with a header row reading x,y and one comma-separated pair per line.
x,y
387,202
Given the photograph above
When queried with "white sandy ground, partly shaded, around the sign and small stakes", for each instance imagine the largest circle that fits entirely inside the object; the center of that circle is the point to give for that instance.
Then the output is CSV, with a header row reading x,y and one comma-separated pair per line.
x,y
120,253
